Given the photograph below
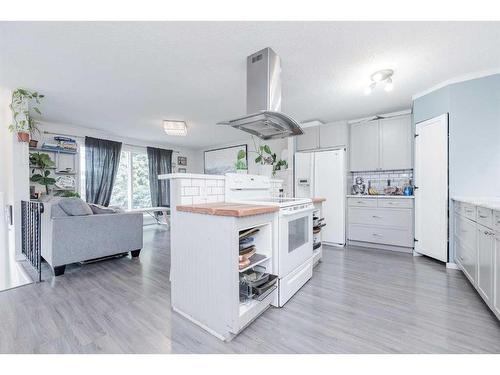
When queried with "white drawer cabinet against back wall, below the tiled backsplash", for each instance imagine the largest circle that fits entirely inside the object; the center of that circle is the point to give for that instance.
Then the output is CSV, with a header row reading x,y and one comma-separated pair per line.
x,y
374,221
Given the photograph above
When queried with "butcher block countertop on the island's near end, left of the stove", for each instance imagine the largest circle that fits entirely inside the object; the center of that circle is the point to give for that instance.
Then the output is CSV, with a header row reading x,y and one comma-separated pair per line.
x,y
228,209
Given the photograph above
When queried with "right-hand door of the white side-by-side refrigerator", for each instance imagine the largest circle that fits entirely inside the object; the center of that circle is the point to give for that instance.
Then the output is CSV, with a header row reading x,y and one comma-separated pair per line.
x,y
329,183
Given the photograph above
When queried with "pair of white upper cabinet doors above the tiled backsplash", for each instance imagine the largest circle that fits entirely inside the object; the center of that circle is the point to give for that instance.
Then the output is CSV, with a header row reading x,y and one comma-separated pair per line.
x,y
384,144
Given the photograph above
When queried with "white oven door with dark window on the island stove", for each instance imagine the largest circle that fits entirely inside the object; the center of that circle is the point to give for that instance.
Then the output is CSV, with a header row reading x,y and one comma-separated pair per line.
x,y
295,239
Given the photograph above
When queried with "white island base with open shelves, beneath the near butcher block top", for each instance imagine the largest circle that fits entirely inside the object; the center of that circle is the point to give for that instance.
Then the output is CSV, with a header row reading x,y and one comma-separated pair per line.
x,y
205,271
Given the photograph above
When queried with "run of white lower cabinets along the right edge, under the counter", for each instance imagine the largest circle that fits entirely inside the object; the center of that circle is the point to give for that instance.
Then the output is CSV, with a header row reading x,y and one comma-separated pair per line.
x,y
477,250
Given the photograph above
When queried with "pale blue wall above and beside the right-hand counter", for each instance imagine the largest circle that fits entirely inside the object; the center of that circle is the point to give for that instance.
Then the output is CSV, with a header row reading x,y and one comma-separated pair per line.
x,y
474,136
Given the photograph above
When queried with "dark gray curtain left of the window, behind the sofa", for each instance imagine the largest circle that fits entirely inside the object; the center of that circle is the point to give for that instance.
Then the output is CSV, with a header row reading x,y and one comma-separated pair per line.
x,y
102,158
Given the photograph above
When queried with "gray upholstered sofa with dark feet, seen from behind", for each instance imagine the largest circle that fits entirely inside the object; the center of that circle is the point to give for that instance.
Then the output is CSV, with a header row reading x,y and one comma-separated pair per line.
x,y
71,235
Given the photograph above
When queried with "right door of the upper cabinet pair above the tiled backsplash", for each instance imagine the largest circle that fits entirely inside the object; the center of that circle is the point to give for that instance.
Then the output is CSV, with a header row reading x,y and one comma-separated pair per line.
x,y
395,143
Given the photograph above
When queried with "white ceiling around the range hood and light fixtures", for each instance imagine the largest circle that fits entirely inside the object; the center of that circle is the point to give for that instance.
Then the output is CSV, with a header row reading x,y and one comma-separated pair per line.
x,y
126,77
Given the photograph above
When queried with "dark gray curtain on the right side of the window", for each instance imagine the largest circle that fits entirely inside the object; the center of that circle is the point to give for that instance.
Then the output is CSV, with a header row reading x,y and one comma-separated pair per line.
x,y
160,162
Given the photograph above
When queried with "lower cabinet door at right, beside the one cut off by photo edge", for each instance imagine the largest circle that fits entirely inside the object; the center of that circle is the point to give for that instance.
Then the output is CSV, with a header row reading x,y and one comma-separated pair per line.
x,y
485,262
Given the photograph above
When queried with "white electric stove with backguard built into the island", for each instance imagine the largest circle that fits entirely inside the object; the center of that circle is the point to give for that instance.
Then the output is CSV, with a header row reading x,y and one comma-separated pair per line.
x,y
292,228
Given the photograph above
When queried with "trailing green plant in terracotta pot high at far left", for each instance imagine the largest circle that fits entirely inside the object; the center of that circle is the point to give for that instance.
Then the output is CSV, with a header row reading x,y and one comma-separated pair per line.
x,y
22,123
